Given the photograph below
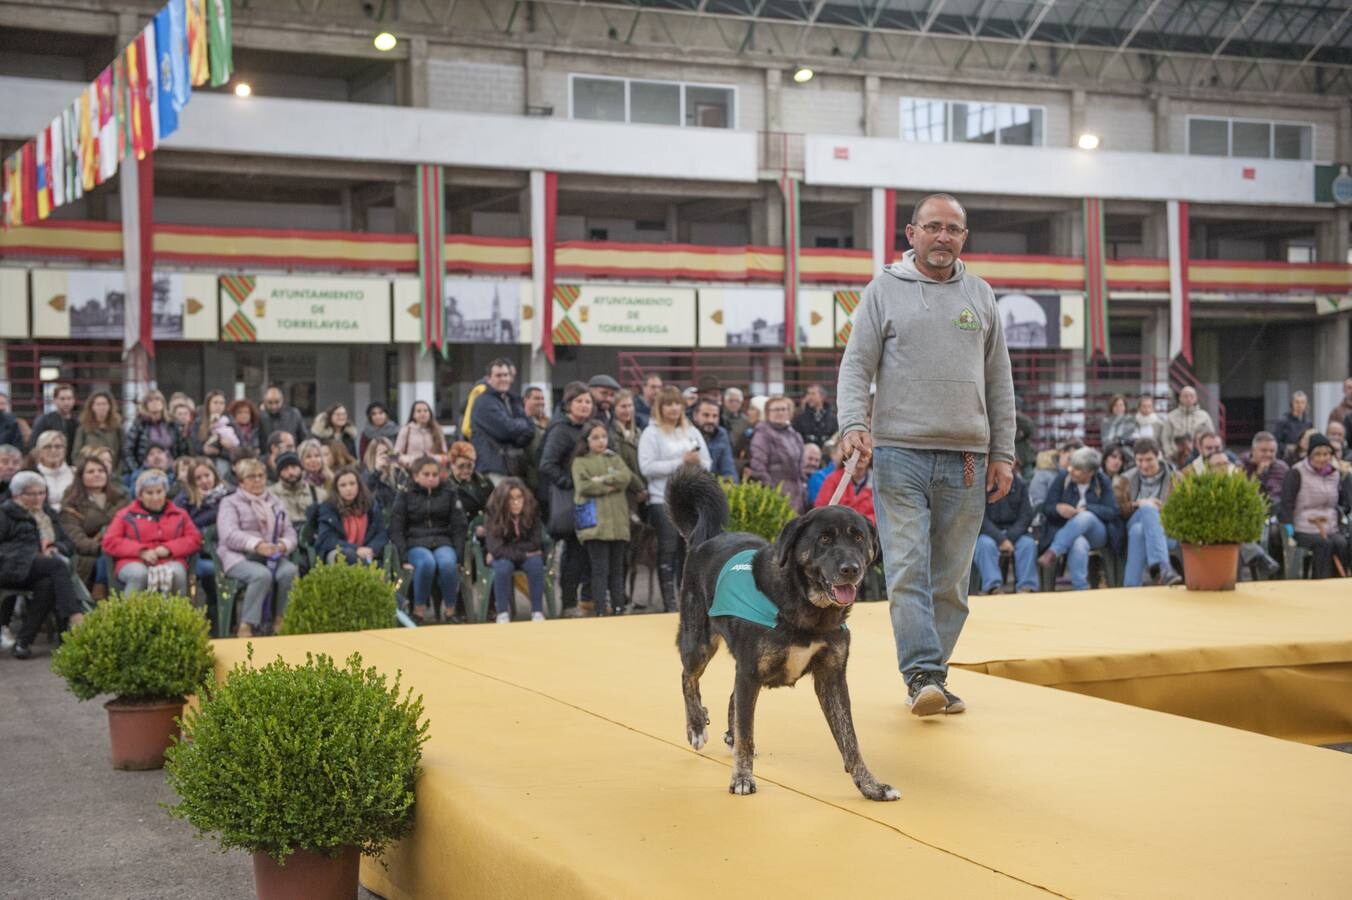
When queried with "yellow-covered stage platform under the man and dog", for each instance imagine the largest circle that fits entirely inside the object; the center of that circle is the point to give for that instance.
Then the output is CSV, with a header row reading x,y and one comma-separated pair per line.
x,y
558,766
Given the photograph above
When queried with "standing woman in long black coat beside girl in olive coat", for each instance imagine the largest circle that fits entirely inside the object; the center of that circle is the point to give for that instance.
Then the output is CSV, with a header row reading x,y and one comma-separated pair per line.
x,y
556,478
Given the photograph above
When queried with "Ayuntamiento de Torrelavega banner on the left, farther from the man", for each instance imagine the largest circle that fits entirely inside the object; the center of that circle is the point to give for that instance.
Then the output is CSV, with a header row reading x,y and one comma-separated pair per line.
x,y
305,310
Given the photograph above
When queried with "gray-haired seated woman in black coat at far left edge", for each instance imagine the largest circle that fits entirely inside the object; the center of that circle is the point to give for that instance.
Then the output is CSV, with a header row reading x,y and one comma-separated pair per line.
x,y
34,556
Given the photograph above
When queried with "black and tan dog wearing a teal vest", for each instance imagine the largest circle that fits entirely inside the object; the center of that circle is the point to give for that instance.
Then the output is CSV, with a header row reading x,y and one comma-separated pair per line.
x,y
808,583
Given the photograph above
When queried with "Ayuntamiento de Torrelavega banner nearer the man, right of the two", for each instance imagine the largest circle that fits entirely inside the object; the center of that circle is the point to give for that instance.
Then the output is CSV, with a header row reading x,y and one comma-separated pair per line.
x,y
624,316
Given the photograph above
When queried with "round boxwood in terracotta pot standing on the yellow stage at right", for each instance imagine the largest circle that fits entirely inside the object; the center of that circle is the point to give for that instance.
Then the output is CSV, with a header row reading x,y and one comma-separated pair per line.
x,y
1211,516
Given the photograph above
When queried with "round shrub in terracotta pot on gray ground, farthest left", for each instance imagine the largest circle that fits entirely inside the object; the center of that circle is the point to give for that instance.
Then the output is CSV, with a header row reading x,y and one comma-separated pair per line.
x,y
149,652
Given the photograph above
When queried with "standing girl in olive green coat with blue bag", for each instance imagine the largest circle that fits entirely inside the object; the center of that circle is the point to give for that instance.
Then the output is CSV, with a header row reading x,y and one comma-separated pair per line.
x,y
601,480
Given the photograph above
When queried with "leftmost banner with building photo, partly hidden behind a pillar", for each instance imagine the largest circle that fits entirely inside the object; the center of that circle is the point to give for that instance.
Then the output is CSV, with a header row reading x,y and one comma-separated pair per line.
x,y
91,305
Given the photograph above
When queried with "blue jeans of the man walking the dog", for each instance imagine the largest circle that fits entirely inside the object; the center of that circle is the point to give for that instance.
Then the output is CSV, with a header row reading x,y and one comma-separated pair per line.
x,y
928,522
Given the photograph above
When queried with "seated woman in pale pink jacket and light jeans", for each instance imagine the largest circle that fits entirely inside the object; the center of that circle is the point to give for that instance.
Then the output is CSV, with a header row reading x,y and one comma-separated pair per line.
x,y
256,537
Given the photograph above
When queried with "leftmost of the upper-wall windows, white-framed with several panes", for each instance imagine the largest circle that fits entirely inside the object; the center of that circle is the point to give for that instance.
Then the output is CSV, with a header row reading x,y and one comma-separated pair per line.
x,y
670,103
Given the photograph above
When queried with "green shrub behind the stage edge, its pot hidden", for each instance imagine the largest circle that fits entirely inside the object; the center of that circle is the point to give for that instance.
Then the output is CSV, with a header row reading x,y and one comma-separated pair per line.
x,y
341,598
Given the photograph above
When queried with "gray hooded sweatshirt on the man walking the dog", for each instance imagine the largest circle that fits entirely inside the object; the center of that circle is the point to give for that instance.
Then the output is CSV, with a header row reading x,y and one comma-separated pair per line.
x,y
938,353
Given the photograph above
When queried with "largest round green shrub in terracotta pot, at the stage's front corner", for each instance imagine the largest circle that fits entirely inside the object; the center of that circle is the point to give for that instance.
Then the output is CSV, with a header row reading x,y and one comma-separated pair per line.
x,y
304,767
